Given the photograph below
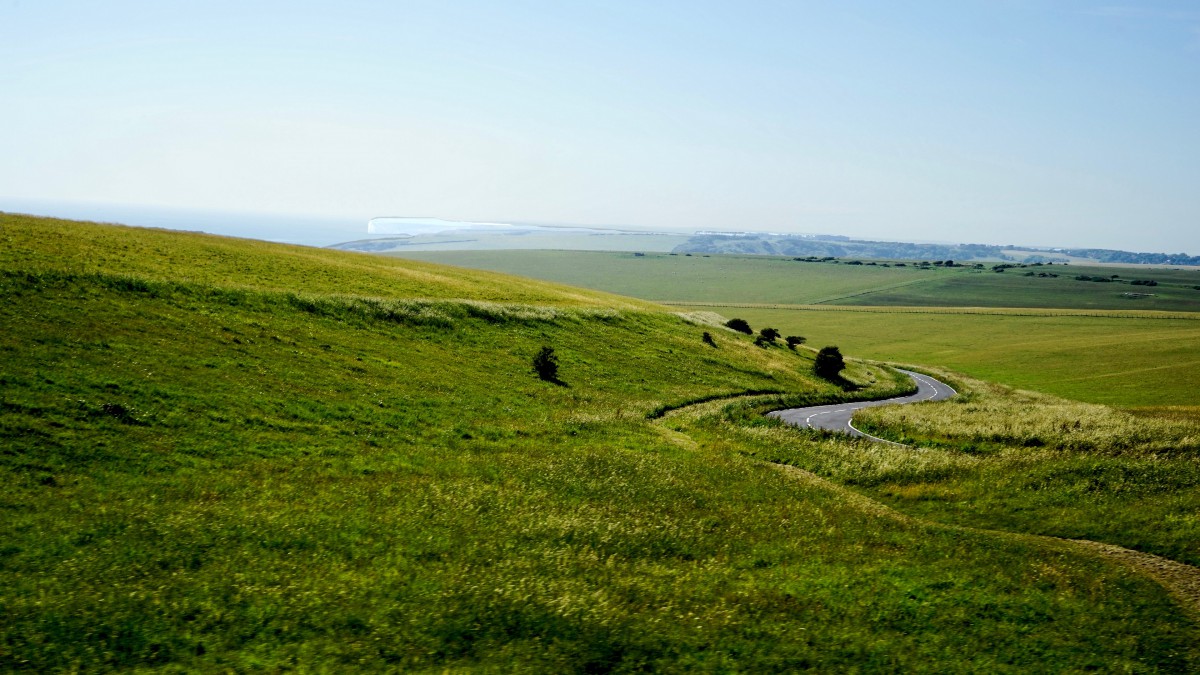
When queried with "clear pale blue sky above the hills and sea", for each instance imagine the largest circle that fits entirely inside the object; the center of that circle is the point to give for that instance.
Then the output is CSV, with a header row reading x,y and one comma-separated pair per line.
x,y
1048,123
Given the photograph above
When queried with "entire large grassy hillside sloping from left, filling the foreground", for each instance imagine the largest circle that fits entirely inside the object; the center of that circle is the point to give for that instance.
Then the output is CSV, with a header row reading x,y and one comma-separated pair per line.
x,y
233,456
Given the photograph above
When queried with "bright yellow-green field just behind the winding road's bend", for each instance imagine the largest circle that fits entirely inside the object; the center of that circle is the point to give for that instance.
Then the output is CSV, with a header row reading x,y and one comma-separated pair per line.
x,y
1131,362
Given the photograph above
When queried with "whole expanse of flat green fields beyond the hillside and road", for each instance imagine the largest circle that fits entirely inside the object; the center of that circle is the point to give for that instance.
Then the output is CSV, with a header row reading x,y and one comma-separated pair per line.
x,y
1112,350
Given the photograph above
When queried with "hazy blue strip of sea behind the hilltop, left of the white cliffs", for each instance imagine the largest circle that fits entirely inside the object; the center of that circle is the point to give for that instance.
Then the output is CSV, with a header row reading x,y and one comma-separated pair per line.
x,y
307,231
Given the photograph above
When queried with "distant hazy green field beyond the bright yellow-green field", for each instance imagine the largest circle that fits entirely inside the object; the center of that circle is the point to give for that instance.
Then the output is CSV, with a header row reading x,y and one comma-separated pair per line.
x,y
772,280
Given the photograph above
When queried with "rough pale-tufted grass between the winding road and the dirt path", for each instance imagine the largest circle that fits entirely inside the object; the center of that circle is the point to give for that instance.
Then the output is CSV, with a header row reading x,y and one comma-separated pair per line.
x,y
1004,459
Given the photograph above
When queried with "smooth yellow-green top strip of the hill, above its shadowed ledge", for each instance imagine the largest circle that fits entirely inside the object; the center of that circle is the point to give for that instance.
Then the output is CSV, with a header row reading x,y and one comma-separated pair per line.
x,y
29,243
